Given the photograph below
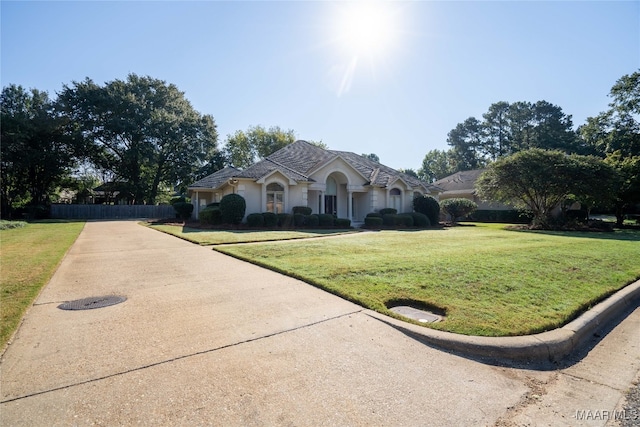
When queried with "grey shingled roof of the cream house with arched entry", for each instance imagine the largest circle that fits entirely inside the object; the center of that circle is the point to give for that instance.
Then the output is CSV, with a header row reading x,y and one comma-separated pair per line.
x,y
297,161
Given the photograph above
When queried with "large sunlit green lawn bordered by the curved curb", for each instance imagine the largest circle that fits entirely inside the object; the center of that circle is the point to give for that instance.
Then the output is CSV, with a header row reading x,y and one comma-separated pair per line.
x,y
489,281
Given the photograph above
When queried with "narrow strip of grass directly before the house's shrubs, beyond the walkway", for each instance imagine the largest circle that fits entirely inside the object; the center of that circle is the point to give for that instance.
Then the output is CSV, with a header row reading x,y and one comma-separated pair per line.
x,y
223,237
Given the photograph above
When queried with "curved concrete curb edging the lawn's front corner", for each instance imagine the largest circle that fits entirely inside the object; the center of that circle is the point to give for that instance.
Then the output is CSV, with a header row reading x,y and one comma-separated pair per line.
x,y
546,346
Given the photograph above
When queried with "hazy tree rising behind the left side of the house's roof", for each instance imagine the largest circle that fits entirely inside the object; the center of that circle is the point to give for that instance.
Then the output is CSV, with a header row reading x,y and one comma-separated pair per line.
x,y
242,149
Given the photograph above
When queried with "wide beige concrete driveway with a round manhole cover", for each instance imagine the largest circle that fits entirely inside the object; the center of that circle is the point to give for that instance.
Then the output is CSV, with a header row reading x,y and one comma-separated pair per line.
x,y
205,339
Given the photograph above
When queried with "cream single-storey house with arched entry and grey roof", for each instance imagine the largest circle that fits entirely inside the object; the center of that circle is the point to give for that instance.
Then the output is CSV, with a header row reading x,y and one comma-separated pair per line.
x,y
302,174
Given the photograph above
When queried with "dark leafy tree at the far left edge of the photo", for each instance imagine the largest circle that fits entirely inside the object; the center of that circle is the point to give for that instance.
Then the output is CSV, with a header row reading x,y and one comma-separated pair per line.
x,y
38,146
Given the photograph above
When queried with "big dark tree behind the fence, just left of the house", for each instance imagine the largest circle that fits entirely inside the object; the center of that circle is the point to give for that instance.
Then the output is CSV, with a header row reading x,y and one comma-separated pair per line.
x,y
143,130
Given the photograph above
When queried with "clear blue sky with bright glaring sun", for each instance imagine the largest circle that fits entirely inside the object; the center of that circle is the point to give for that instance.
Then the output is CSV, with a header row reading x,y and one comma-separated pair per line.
x,y
426,67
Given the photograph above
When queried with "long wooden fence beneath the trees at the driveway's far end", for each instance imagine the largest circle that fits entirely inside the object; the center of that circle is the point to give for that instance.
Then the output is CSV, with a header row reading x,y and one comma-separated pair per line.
x,y
111,211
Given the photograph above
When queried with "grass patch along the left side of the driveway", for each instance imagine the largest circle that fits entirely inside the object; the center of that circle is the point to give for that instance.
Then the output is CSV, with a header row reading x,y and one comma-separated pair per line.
x,y
28,258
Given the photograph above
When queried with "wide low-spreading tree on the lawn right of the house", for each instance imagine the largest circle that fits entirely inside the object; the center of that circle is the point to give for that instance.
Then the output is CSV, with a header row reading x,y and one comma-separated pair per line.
x,y
541,180
